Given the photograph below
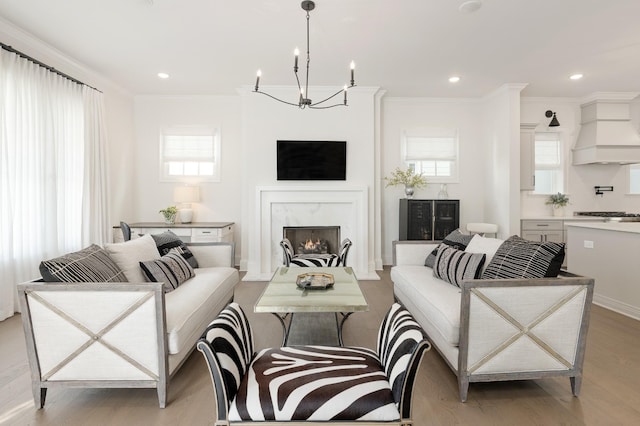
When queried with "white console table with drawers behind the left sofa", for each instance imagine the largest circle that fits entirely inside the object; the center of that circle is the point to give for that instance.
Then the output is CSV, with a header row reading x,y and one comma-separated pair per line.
x,y
201,232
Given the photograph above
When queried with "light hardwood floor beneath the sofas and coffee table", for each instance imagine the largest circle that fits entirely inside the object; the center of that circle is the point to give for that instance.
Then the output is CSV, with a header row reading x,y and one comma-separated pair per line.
x,y
610,391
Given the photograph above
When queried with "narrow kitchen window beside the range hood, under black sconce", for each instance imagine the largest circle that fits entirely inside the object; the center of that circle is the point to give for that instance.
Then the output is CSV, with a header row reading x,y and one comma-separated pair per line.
x,y
549,175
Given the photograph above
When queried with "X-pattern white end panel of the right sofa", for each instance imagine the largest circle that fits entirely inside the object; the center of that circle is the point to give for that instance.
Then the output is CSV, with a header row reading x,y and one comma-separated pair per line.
x,y
523,328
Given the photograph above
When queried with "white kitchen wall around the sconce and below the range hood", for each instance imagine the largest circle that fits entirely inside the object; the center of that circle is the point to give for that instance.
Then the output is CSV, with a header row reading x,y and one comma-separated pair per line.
x,y
580,179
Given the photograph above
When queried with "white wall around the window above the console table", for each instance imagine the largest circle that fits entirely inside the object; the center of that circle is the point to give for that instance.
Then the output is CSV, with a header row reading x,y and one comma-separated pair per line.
x,y
220,201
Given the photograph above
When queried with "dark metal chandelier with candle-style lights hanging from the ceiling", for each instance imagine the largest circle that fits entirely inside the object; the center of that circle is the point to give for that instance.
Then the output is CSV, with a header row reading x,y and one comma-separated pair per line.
x,y
303,99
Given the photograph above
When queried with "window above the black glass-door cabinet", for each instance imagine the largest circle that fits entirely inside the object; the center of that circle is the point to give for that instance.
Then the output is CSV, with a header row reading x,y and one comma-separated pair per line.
x,y
432,152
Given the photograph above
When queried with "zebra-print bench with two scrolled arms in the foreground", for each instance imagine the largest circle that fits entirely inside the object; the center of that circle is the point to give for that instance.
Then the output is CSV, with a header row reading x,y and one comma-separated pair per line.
x,y
313,383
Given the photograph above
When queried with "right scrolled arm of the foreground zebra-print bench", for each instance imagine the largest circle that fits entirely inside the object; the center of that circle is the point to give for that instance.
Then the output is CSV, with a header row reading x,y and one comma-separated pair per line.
x,y
401,346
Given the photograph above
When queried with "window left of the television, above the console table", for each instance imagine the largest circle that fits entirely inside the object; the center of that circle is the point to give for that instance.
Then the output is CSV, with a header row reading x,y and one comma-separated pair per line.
x,y
189,152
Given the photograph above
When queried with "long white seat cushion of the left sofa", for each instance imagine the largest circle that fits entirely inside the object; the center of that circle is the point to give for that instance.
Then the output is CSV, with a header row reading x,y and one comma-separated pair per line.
x,y
191,306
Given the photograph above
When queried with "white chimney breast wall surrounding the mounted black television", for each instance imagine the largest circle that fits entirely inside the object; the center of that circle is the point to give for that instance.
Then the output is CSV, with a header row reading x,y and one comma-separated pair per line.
x,y
264,121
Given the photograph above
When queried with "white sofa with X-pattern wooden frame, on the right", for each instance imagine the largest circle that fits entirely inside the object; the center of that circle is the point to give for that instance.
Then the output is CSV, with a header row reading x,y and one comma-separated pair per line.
x,y
498,329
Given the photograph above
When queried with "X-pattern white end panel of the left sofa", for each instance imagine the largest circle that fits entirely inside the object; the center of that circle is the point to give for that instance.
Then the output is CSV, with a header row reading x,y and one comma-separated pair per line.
x,y
95,335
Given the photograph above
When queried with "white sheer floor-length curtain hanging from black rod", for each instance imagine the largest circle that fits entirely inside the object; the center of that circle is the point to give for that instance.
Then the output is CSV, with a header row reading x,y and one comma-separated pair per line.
x,y
43,171
